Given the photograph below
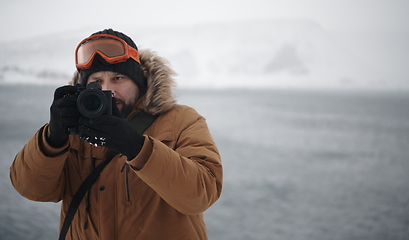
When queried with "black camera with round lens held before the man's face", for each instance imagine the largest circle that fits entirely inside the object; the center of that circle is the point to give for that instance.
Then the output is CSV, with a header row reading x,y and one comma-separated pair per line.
x,y
92,102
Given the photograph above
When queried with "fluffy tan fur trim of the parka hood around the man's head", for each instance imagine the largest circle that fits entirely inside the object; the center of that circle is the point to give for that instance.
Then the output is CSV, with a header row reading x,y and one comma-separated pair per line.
x,y
159,96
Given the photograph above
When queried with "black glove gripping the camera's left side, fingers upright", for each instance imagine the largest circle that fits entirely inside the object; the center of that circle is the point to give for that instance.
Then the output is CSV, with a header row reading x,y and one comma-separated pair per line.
x,y
63,114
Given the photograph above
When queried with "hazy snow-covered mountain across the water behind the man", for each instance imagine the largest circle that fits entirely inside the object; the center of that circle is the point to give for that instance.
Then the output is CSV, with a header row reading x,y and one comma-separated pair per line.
x,y
259,54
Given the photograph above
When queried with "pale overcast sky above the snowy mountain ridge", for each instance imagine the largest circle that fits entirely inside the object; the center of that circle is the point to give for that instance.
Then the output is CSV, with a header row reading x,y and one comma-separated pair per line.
x,y
26,18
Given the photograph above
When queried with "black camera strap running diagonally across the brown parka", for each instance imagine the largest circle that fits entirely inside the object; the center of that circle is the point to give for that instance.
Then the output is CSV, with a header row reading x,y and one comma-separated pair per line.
x,y
141,121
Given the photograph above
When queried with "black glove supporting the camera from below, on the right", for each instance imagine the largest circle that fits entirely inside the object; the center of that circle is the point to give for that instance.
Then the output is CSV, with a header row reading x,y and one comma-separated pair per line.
x,y
113,132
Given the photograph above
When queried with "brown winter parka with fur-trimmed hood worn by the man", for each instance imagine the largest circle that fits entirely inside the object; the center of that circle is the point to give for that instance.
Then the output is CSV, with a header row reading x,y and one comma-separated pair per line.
x,y
165,199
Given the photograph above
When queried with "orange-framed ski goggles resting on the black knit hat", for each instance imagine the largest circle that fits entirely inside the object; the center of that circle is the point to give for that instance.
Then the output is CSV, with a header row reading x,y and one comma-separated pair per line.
x,y
113,49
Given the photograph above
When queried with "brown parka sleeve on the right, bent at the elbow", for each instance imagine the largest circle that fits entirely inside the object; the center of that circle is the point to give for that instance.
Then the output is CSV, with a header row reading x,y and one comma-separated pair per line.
x,y
189,177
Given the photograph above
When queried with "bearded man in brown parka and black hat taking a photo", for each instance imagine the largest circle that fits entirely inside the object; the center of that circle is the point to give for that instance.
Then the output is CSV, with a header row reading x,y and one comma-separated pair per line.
x,y
158,185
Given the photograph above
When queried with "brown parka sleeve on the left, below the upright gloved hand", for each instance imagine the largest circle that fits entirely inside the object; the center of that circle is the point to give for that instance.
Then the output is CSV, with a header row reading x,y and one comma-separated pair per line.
x,y
38,176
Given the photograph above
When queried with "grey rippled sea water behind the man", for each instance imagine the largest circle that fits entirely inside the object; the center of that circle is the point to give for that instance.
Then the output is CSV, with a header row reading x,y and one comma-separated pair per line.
x,y
298,164
